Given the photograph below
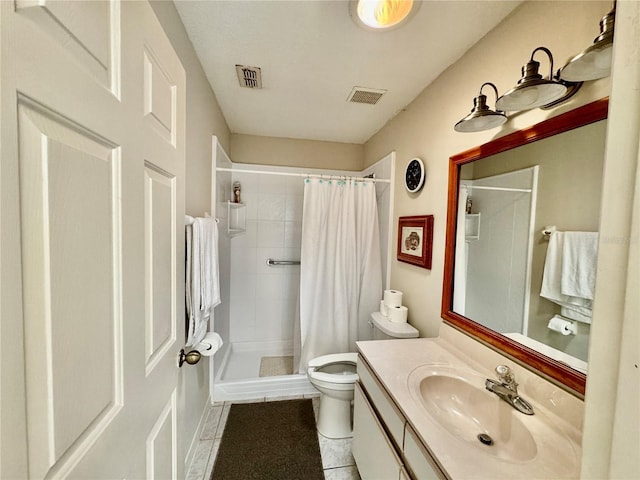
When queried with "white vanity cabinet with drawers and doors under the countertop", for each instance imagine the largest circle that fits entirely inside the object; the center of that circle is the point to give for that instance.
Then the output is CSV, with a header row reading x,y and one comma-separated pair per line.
x,y
384,444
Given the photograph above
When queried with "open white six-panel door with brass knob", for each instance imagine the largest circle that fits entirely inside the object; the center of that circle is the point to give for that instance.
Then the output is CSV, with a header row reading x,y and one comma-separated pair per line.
x,y
92,184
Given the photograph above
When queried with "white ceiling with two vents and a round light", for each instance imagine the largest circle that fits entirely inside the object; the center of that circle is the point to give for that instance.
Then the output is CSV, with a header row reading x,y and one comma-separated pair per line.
x,y
312,54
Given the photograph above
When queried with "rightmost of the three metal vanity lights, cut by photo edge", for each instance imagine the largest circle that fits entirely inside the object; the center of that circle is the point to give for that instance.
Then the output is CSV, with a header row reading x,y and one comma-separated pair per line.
x,y
595,61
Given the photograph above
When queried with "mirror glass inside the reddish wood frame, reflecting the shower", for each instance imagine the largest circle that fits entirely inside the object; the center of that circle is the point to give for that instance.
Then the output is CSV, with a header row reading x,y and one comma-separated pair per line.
x,y
509,199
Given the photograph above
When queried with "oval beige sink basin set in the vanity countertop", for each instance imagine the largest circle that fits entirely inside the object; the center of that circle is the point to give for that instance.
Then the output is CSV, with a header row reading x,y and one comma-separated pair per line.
x,y
458,401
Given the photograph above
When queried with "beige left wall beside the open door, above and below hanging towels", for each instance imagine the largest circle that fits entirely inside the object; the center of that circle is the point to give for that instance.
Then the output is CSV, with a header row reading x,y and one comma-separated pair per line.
x,y
204,119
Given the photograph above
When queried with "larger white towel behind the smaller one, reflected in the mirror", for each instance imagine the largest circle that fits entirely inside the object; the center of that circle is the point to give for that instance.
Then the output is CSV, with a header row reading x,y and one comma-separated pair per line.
x,y
552,278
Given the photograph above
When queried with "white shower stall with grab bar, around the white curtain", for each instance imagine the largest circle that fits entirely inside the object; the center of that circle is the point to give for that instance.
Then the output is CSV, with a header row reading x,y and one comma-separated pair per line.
x,y
260,241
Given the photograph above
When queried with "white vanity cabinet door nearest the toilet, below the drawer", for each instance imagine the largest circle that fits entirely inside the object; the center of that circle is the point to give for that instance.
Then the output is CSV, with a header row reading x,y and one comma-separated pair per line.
x,y
374,454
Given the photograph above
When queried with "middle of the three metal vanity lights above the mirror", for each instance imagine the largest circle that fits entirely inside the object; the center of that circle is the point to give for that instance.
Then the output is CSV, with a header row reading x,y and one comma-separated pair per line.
x,y
533,91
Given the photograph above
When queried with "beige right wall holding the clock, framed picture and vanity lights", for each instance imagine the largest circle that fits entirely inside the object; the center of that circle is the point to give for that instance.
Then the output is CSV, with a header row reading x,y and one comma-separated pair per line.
x,y
425,128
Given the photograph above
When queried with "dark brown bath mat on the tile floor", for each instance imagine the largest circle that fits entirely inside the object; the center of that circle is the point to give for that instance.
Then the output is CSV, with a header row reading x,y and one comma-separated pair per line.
x,y
269,441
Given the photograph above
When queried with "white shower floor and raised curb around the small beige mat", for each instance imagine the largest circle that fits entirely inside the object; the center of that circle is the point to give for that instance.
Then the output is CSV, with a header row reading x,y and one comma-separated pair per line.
x,y
238,378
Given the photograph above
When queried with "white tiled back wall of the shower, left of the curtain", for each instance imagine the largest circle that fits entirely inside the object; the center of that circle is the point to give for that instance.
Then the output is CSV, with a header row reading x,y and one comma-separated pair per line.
x,y
263,298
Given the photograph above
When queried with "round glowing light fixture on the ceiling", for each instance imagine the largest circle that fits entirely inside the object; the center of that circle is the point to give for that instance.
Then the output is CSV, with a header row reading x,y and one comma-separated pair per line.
x,y
382,14
